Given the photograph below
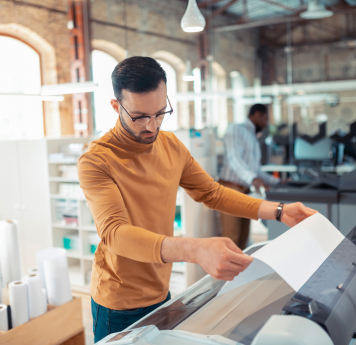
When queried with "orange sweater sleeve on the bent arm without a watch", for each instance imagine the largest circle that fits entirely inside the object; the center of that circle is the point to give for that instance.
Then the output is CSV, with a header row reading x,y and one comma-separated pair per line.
x,y
108,209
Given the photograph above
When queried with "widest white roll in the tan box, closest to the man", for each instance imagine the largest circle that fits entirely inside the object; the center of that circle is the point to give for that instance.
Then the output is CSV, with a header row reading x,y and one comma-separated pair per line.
x,y
53,266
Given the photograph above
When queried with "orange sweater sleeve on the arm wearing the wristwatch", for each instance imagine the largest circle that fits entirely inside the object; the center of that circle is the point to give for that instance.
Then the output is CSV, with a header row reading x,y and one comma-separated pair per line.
x,y
202,188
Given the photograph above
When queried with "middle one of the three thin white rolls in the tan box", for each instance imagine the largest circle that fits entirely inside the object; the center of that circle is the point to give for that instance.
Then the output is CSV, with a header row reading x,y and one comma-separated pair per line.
x,y
18,294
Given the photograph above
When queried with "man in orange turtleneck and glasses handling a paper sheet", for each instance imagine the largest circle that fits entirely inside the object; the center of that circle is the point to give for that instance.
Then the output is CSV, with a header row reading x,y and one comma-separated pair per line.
x,y
130,178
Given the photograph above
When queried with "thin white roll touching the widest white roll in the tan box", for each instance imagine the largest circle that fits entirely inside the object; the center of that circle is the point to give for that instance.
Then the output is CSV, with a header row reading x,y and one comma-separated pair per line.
x,y
35,294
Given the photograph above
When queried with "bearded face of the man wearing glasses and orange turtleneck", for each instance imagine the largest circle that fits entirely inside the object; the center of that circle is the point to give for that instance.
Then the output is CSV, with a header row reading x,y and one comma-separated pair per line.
x,y
142,104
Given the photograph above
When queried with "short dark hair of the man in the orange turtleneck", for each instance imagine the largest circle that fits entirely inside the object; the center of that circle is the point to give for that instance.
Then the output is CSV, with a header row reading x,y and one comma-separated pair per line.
x,y
138,74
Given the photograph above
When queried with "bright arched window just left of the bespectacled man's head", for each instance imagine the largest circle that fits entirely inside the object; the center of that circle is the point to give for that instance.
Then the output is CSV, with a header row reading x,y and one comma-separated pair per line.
x,y
105,117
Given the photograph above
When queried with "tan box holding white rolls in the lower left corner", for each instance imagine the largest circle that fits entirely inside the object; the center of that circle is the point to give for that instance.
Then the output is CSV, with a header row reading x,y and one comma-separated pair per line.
x,y
60,325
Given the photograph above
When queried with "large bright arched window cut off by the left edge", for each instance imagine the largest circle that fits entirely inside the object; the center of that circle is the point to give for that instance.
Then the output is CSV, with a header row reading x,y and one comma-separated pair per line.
x,y
21,117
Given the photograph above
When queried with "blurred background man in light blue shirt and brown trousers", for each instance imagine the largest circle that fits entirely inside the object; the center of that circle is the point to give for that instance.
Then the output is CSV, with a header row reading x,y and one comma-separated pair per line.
x,y
241,169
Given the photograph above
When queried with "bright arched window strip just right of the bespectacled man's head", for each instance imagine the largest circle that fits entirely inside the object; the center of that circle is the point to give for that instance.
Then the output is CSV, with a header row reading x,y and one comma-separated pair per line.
x,y
172,123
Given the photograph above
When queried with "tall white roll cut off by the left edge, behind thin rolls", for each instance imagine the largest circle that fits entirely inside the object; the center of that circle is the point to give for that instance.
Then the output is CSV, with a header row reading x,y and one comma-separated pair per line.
x,y
9,252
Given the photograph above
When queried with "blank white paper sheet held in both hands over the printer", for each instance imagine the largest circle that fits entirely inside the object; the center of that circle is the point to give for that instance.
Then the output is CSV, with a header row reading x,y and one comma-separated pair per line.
x,y
295,255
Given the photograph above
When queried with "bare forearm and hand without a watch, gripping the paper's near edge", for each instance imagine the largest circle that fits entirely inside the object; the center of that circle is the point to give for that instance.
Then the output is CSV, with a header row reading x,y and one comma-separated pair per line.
x,y
218,256
